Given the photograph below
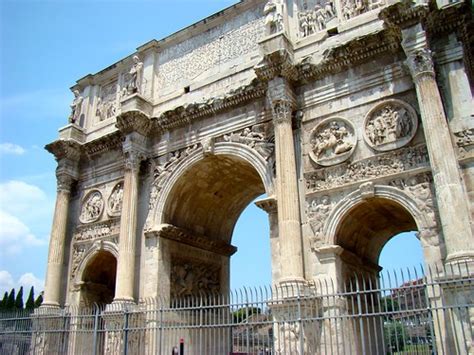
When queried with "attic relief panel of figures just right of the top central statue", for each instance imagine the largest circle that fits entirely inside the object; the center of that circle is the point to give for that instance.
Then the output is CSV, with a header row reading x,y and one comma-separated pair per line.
x,y
316,19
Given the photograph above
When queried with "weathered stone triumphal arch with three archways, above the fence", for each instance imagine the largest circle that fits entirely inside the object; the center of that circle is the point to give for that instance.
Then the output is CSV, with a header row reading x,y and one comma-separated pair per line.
x,y
354,117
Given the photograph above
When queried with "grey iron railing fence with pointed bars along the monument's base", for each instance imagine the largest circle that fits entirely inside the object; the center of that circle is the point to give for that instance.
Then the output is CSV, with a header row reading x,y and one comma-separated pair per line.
x,y
404,312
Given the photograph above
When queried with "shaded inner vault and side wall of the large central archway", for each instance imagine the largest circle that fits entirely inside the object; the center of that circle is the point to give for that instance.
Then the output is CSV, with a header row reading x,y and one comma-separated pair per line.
x,y
203,207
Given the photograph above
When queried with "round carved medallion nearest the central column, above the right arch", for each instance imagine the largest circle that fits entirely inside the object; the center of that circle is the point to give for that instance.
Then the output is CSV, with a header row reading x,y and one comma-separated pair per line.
x,y
332,141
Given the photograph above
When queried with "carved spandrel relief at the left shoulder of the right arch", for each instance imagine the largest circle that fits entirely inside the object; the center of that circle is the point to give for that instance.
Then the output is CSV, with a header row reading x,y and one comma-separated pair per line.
x,y
318,211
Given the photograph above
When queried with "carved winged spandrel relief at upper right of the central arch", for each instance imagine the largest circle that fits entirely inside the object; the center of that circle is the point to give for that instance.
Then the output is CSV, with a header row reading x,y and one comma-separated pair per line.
x,y
255,139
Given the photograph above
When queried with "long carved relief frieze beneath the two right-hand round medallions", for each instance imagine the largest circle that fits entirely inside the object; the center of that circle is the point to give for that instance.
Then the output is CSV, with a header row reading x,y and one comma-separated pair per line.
x,y
371,168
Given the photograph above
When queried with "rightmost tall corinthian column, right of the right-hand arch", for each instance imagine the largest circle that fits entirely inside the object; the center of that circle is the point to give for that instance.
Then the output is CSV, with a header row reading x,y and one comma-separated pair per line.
x,y
451,198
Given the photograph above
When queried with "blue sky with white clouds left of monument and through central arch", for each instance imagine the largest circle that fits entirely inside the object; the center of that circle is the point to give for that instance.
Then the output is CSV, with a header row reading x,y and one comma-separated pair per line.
x,y
46,45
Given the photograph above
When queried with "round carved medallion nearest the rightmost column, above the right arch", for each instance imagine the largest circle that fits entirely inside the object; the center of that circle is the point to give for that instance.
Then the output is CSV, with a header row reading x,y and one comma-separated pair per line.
x,y
390,125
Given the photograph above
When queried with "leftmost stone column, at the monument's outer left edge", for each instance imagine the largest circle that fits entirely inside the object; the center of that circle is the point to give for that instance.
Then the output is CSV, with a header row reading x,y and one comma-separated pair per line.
x,y
52,291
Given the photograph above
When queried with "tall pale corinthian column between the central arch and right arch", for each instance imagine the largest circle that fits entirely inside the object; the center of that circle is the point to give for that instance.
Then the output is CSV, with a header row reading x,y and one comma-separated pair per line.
x,y
289,223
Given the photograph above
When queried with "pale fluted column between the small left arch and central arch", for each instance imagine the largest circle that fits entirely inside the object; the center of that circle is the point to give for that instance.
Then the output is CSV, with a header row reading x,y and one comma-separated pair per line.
x,y
124,290
